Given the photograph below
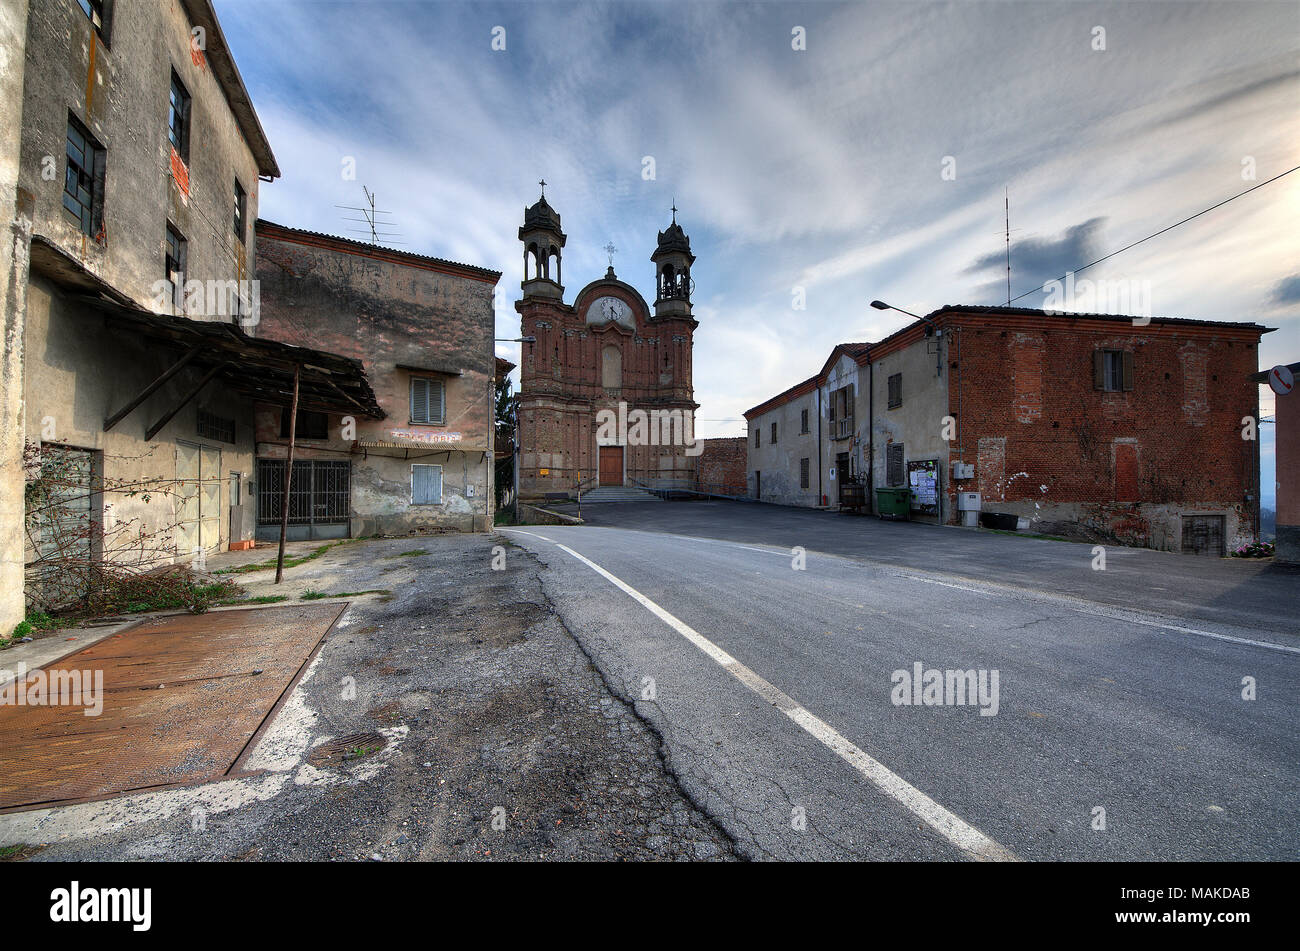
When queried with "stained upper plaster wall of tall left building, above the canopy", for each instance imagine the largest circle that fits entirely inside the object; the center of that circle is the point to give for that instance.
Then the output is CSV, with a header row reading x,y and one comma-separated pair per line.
x,y
120,92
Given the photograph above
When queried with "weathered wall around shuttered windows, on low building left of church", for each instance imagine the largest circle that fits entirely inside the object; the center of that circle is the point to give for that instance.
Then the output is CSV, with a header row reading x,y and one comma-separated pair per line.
x,y
389,311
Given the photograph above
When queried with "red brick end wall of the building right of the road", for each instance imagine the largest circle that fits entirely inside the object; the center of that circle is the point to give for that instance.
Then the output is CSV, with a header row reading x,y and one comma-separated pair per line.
x,y
1029,416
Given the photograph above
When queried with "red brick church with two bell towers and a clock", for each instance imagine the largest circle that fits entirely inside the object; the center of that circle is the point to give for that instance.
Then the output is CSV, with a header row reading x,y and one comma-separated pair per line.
x,y
606,357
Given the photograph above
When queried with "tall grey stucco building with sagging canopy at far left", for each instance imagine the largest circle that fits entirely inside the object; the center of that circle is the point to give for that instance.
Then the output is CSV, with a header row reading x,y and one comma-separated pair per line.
x,y
128,290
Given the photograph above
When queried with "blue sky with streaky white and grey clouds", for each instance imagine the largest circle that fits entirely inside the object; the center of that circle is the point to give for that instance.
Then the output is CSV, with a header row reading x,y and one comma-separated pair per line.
x,y
873,163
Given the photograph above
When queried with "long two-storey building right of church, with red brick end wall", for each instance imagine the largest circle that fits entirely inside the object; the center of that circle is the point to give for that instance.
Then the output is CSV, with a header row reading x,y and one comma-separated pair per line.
x,y
1089,425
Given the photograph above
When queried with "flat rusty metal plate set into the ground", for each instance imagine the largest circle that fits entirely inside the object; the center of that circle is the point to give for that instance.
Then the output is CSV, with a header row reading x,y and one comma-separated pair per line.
x,y
183,698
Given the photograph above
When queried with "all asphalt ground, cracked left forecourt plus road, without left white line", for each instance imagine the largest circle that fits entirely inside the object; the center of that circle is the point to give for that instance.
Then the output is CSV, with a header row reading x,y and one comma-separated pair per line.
x,y
539,713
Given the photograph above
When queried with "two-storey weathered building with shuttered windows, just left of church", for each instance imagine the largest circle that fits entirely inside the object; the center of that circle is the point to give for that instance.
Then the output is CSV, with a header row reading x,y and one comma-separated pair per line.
x,y
423,329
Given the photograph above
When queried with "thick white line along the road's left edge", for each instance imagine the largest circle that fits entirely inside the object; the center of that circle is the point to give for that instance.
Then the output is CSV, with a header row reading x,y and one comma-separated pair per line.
x,y
960,833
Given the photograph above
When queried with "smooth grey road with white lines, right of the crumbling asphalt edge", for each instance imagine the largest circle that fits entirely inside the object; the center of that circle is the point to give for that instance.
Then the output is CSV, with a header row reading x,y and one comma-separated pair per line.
x,y
1119,691
